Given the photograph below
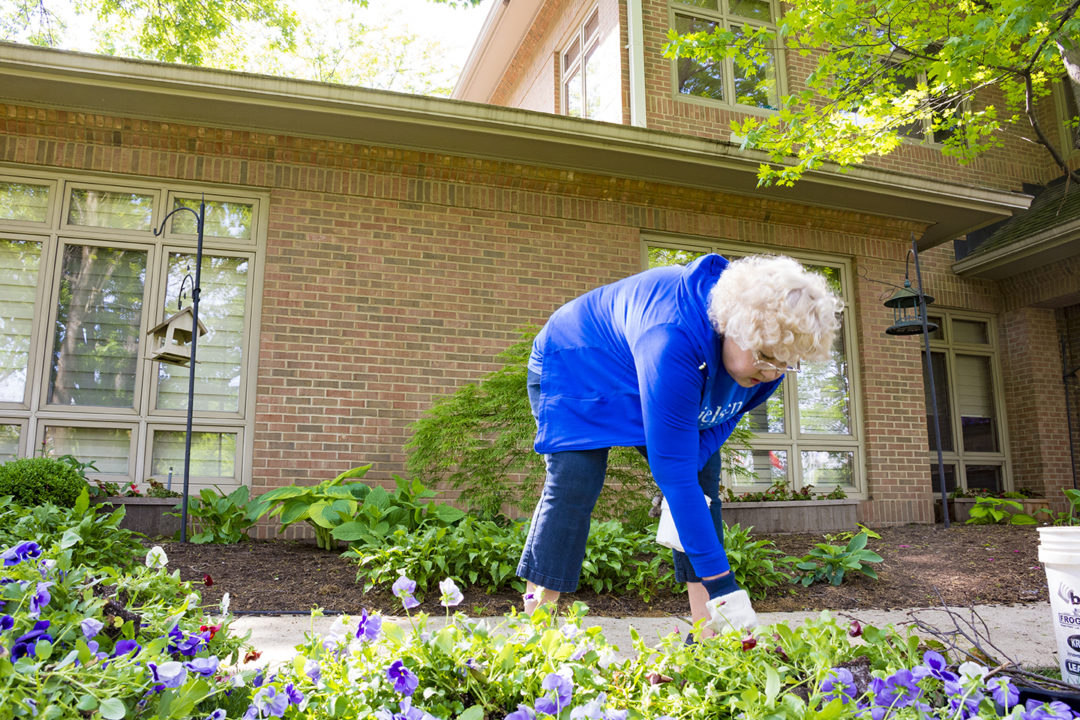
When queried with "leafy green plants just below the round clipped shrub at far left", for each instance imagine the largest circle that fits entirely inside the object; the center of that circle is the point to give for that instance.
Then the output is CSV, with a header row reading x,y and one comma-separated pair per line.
x,y
84,538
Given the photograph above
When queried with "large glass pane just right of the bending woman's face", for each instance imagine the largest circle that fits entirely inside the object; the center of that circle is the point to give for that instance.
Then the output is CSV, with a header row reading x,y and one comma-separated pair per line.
x,y
825,393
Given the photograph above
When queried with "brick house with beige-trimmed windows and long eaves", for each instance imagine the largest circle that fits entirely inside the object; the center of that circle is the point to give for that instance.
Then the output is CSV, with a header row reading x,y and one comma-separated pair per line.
x,y
368,252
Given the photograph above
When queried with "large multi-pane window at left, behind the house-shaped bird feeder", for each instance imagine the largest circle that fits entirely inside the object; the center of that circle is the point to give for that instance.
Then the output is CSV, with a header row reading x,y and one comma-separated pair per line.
x,y
84,276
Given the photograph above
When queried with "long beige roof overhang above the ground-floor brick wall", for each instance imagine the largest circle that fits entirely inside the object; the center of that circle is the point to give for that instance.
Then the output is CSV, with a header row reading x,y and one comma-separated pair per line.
x,y
182,94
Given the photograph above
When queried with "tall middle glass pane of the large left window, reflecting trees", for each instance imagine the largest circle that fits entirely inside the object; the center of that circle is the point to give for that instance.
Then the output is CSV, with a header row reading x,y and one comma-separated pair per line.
x,y
96,347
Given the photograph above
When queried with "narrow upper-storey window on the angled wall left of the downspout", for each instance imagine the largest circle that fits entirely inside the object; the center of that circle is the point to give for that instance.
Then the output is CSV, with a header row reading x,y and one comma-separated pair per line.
x,y
591,85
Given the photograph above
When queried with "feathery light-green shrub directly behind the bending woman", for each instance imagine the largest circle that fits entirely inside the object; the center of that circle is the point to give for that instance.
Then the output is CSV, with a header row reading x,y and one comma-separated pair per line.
x,y
480,442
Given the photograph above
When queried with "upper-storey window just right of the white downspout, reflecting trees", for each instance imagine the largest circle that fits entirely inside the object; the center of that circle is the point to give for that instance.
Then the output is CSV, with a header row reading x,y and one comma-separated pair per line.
x,y
738,81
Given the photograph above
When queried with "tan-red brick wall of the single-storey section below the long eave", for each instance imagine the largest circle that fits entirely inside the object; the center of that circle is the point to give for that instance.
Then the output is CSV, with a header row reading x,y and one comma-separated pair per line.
x,y
393,277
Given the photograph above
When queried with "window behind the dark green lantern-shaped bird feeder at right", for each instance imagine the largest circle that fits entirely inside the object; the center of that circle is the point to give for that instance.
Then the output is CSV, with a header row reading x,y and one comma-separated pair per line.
x,y
968,392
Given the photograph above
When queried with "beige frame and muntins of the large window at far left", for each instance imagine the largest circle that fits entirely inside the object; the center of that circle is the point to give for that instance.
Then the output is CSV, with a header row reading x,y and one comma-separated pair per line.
x,y
33,415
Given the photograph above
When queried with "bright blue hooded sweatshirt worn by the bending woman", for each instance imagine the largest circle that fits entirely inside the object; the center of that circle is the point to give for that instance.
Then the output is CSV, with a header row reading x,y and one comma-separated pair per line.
x,y
639,363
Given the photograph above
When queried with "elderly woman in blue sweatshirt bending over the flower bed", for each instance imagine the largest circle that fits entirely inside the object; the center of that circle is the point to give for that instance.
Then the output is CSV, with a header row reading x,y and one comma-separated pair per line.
x,y
667,361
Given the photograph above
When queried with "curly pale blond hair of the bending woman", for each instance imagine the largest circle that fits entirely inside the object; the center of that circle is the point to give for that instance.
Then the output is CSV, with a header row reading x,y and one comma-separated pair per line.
x,y
773,305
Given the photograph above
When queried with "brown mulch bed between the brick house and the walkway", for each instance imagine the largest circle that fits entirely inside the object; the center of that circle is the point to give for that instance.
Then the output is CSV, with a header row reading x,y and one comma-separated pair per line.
x,y
924,566
